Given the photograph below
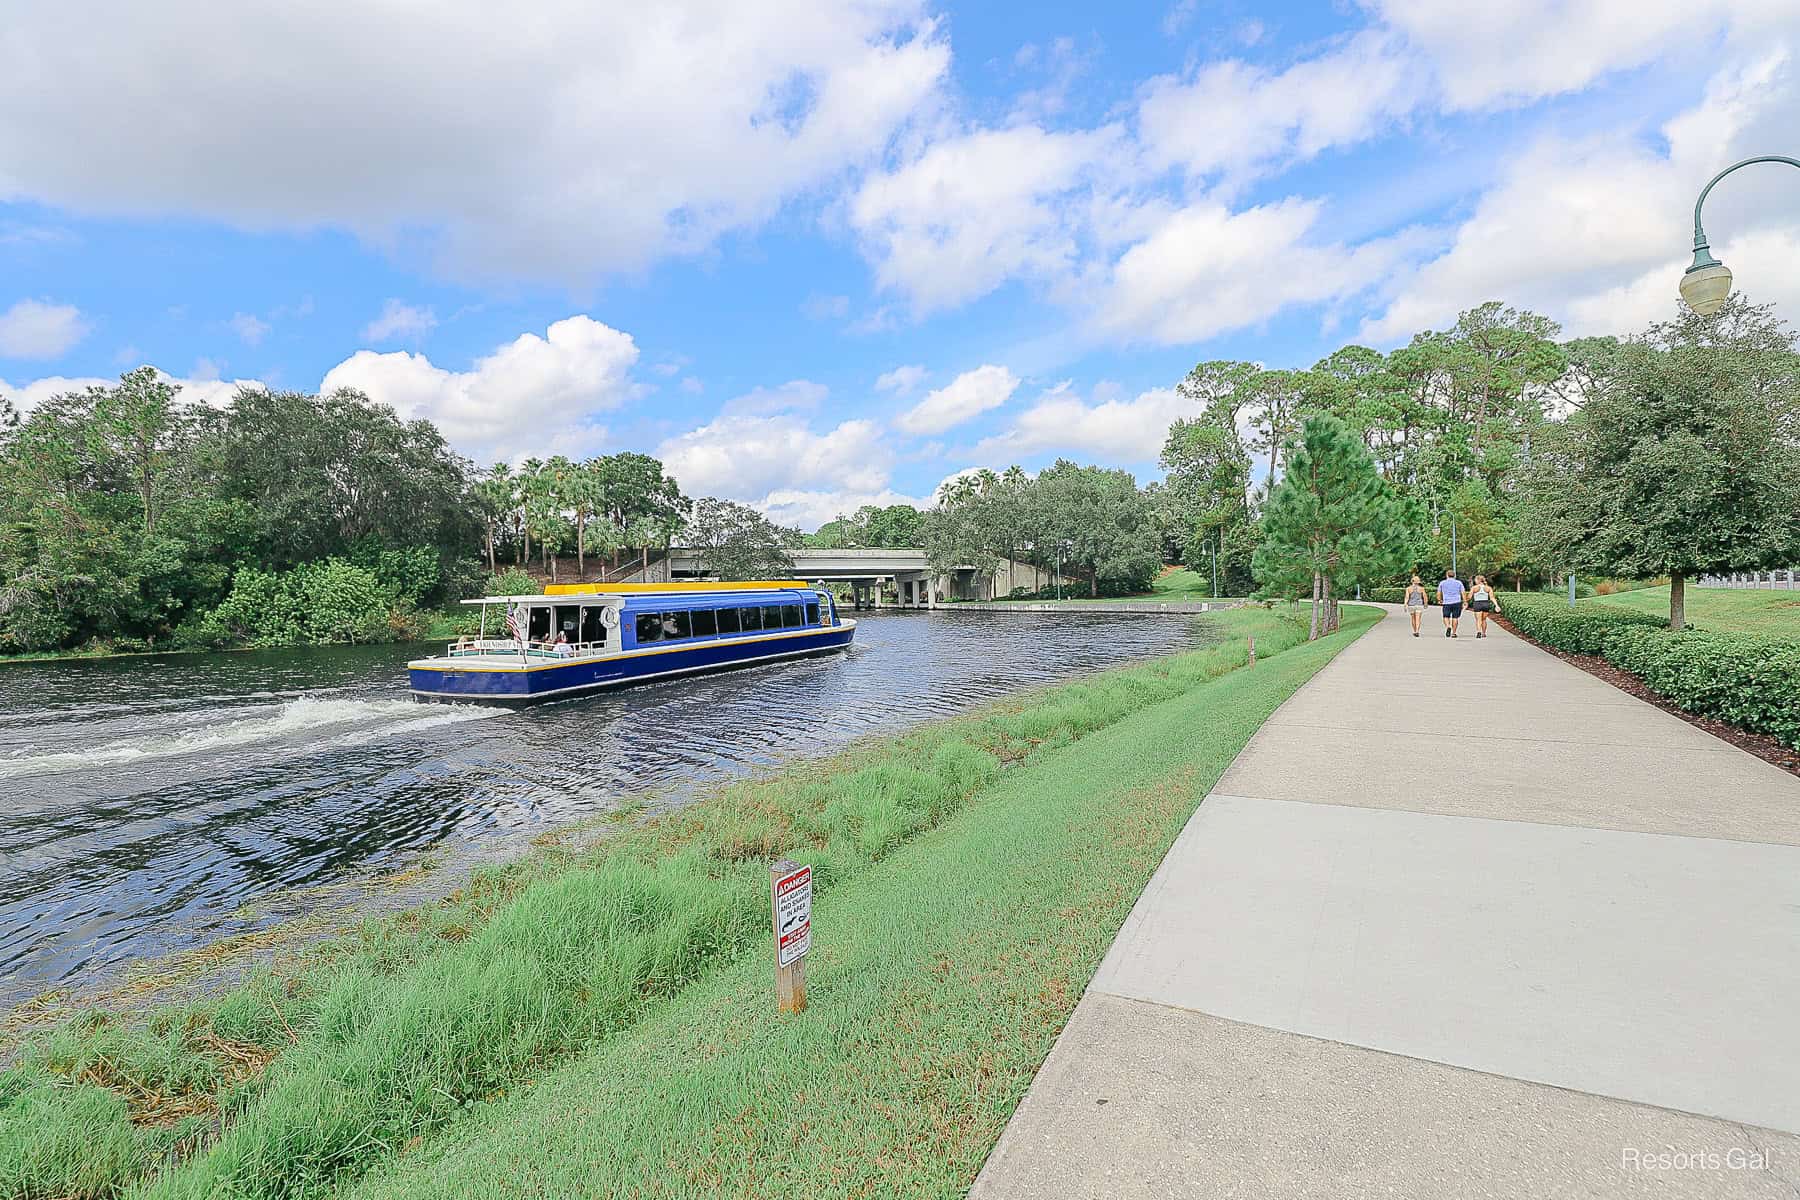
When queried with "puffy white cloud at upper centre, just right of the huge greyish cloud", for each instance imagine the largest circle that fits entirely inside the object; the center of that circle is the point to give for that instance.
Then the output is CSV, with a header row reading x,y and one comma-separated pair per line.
x,y
978,210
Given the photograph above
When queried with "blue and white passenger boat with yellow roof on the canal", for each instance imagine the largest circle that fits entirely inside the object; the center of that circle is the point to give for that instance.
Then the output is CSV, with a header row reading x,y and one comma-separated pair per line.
x,y
582,638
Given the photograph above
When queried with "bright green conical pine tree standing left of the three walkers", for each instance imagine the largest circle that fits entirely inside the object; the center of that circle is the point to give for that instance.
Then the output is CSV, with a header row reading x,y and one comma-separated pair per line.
x,y
1331,523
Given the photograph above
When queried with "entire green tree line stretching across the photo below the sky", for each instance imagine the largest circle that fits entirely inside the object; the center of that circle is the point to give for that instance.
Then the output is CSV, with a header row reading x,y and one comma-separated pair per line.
x,y
134,519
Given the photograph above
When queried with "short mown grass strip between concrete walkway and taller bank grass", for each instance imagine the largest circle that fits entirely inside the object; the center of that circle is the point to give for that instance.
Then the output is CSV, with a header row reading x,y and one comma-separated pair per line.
x,y
939,983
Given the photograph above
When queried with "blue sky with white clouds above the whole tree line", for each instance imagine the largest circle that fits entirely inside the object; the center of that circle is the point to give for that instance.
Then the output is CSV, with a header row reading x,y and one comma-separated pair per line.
x,y
822,255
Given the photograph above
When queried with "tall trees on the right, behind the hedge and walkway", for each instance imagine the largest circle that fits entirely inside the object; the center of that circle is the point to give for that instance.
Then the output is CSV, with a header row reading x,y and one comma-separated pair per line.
x,y
1504,452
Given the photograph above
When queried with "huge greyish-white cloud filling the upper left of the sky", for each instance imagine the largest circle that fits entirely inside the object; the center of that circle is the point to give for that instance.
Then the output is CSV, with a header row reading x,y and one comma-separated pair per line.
x,y
557,145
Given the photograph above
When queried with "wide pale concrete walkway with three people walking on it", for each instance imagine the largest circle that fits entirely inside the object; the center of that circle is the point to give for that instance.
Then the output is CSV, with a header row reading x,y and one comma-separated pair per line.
x,y
1461,922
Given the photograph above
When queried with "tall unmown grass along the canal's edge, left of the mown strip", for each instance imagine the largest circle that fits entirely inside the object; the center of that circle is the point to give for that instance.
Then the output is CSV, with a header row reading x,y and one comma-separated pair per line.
x,y
336,1059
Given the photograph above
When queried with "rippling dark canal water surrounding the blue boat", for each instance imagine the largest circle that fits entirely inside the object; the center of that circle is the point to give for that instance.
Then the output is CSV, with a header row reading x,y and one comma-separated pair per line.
x,y
150,805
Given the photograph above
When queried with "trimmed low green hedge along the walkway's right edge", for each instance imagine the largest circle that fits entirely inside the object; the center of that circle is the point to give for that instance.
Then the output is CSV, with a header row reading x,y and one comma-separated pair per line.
x,y
1750,681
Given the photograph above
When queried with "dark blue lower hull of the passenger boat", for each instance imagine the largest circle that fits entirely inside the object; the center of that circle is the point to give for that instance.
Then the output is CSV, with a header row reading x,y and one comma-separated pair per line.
x,y
555,681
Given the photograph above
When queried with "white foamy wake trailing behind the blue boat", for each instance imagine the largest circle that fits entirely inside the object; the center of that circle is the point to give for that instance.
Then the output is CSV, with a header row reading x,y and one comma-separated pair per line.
x,y
330,722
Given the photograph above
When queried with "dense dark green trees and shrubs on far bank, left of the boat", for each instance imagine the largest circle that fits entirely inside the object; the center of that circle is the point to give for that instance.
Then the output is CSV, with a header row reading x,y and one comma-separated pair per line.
x,y
127,515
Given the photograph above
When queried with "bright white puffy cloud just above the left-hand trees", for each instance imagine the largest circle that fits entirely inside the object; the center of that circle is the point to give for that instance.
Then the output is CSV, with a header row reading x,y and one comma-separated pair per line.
x,y
535,395
